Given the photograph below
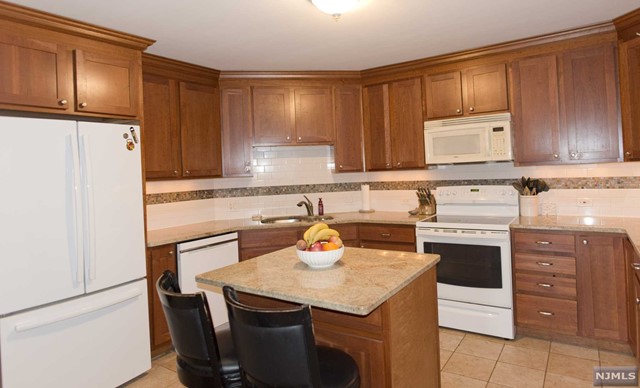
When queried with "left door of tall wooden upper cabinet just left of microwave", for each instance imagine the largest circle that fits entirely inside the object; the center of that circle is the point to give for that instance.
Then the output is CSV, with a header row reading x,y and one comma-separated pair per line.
x,y
377,136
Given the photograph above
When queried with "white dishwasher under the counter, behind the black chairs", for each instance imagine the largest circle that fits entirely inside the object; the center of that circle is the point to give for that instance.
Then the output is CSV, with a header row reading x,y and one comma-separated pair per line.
x,y
196,257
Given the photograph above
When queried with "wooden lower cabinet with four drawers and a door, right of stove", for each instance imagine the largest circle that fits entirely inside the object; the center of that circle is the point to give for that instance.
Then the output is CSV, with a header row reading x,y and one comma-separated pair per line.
x,y
571,283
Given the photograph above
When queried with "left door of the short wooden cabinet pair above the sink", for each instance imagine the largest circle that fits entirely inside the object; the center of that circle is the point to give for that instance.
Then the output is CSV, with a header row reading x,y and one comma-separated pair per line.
x,y
272,116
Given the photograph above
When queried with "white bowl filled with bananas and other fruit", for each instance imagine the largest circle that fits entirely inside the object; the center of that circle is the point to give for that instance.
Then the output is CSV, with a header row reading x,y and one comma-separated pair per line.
x,y
321,247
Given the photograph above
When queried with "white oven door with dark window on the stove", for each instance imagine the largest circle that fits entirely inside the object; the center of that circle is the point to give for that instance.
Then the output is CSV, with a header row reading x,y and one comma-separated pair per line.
x,y
474,267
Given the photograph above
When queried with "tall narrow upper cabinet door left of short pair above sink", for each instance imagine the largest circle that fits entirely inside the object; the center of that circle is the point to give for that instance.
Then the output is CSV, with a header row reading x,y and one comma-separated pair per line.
x,y
236,131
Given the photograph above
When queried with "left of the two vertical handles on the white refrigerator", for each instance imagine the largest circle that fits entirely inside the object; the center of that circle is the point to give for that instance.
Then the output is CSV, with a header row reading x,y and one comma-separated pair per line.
x,y
73,164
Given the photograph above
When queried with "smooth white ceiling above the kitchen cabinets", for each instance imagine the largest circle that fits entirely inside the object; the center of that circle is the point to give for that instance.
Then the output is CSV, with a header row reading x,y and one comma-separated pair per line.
x,y
294,35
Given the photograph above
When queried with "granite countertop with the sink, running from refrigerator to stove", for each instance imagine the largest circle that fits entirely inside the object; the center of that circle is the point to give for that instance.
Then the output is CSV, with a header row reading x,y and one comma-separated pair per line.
x,y
206,229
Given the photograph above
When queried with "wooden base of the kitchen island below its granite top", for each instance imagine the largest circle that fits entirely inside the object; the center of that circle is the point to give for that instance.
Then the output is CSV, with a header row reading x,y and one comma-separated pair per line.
x,y
396,345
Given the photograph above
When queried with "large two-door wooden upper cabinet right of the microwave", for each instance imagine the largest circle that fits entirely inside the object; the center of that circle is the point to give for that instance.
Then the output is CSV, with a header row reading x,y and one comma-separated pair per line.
x,y
566,107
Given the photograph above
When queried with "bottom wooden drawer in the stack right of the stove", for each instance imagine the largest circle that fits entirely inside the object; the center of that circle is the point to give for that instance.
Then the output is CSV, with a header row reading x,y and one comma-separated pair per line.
x,y
548,313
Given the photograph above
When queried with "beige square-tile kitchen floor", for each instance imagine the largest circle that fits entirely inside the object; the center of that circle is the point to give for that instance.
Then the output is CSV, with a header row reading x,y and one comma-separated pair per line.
x,y
470,360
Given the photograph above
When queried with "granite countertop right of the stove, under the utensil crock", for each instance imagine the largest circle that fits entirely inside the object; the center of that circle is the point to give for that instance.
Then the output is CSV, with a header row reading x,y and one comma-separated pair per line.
x,y
626,225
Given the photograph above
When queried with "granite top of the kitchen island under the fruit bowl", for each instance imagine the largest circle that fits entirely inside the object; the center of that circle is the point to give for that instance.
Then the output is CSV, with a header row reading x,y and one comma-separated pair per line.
x,y
358,283
